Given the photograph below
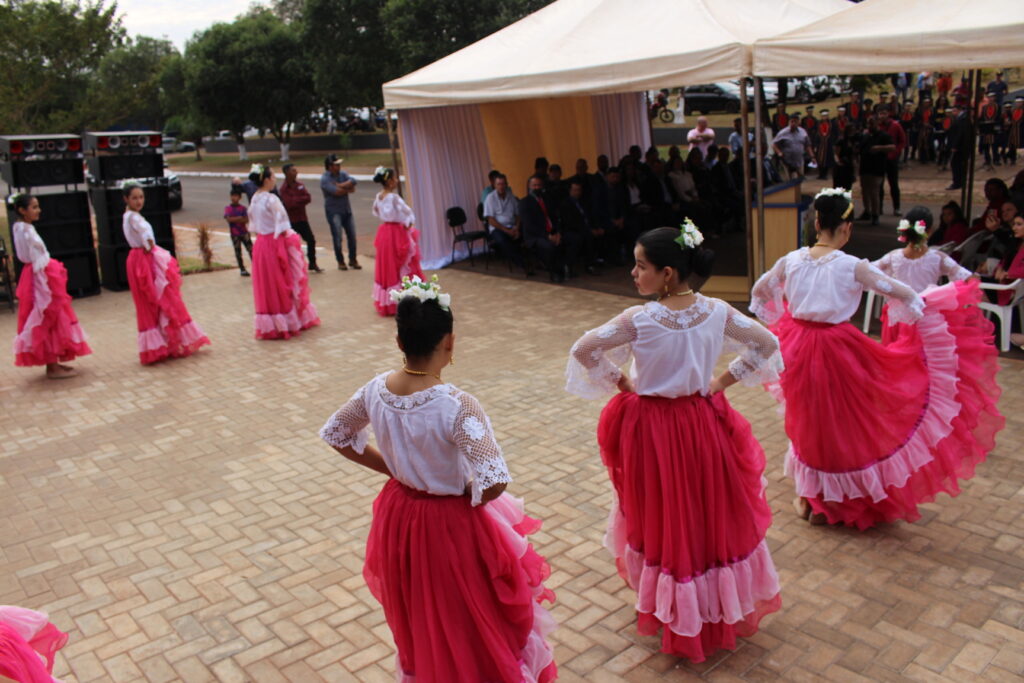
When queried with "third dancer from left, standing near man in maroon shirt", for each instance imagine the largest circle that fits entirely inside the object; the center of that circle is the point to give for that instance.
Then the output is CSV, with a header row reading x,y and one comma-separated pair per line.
x,y
281,281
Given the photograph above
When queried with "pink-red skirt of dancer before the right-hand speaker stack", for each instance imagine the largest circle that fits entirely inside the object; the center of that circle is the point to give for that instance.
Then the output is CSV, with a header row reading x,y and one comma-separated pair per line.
x,y
165,328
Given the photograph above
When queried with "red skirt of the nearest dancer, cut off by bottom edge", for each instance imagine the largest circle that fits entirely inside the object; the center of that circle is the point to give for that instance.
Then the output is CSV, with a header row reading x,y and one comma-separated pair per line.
x,y
461,588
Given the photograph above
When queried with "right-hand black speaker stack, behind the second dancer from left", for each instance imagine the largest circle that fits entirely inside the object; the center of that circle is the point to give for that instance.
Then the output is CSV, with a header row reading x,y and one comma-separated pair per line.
x,y
114,158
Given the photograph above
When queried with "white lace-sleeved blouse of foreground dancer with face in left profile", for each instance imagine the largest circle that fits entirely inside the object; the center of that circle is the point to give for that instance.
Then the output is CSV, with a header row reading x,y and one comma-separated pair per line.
x,y
674,352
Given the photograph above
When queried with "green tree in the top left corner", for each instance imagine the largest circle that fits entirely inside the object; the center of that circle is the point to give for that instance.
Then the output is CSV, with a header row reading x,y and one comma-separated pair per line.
x,y
49,60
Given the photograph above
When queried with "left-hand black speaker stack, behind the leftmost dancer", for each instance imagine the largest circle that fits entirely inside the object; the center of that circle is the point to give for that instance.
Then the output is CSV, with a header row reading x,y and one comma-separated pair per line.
x,y
52,168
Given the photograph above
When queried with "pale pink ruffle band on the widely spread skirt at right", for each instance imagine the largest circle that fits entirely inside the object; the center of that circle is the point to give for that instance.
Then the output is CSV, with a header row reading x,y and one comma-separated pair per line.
x,y
940,349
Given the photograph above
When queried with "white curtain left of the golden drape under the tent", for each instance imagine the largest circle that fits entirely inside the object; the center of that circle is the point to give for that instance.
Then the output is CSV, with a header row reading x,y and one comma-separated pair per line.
x,y
446,154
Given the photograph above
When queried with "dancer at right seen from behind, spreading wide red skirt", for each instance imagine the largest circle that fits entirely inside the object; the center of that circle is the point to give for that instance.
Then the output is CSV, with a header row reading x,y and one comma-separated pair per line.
x,y
876,431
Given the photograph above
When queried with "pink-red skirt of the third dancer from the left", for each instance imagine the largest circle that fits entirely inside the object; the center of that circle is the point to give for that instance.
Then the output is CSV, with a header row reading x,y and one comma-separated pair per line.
x,y
281,288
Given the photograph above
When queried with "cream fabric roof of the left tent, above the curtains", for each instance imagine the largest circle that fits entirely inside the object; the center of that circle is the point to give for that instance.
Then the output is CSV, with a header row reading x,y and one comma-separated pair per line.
x,y
607,47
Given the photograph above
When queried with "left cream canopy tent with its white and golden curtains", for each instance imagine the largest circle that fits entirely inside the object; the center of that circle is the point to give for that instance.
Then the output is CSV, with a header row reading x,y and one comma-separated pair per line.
x,y
566,82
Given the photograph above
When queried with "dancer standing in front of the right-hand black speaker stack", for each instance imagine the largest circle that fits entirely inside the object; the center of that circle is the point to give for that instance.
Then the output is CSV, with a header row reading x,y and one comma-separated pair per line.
x,y
165,328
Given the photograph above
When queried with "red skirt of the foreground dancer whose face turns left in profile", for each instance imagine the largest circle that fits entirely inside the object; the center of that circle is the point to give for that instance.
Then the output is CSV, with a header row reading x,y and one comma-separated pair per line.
x,y
689,529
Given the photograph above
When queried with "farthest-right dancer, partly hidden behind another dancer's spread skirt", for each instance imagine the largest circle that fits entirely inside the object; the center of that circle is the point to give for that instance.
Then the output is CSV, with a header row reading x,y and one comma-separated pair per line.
x,y
916,265
